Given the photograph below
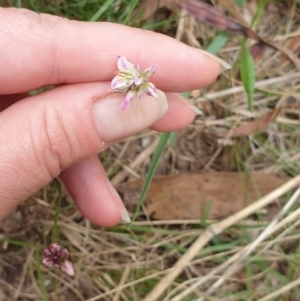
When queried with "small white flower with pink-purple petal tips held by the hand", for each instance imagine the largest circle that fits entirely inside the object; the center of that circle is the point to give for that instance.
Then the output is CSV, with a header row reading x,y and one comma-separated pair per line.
x,y
133,81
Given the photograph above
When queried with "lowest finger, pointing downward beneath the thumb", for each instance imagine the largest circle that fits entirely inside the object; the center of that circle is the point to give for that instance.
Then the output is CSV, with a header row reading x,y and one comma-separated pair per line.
x,y
93,194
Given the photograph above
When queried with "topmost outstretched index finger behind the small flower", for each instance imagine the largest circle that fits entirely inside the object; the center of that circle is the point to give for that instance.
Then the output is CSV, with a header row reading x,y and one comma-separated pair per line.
x,y
52,50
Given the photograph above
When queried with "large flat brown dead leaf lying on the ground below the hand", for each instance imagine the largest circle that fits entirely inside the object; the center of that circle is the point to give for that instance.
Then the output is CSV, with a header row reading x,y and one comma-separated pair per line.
x,y
186,196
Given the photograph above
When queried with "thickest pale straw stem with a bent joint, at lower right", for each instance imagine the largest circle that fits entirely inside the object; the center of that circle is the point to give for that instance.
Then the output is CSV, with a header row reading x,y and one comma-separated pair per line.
x,y
214,230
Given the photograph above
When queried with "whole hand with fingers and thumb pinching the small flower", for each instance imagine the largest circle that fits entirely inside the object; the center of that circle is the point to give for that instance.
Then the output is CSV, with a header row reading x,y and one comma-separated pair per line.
x,y
60,132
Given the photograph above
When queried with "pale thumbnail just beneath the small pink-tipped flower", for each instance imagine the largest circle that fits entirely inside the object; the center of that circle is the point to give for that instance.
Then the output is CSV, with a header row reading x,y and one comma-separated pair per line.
x,y
112,123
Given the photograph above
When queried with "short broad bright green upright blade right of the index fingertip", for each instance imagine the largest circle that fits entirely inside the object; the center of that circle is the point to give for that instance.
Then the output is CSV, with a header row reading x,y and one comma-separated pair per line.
x,y
247,69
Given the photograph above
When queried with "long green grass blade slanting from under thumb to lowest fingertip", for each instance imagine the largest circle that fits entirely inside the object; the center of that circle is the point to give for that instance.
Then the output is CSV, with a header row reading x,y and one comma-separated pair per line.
x,y
163,139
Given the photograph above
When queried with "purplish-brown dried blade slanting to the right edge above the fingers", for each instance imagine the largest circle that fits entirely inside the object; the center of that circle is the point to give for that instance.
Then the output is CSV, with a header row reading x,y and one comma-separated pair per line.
x,y
211,16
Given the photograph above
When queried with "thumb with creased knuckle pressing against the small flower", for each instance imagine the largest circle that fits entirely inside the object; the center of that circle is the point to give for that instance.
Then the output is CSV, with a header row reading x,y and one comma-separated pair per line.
x,y
44,134
